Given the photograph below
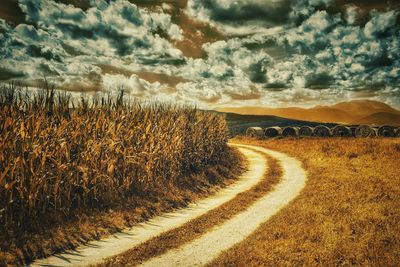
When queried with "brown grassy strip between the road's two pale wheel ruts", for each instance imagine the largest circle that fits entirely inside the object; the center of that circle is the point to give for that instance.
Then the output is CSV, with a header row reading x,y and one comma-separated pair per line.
x,y
195,228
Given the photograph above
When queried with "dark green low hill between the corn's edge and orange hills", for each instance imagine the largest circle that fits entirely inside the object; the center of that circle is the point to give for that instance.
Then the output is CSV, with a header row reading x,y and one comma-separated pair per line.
x,y
238,124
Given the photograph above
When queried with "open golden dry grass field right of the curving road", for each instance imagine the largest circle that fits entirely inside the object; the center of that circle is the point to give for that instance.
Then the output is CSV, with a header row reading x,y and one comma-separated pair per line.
x,y
348,214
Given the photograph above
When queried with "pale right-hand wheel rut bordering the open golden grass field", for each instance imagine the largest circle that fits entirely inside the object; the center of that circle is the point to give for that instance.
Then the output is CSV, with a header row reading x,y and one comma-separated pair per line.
x,y
203,250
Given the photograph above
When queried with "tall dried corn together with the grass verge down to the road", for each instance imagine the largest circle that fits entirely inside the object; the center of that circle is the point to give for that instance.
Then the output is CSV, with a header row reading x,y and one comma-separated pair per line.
x,y
98,166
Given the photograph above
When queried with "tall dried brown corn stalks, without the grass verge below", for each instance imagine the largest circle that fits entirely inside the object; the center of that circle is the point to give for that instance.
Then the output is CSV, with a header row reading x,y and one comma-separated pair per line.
x,y
59,155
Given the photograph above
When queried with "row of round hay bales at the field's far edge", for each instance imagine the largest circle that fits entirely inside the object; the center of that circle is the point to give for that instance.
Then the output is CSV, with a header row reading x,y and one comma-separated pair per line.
x,y
324,131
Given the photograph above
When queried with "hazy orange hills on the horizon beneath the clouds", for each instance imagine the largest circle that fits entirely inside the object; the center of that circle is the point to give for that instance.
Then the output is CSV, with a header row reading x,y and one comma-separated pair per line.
x,y
345,112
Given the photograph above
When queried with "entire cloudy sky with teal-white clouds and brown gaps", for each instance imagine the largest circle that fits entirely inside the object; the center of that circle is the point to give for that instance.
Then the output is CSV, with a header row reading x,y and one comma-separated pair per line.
x,y
212,53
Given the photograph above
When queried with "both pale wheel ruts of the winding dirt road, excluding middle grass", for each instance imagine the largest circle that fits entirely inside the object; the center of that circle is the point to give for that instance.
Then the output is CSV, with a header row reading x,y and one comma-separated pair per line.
x,y
206,248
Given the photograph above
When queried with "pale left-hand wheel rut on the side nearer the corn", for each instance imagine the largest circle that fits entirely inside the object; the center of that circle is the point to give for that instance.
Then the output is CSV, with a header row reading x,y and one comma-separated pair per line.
x,y
96,251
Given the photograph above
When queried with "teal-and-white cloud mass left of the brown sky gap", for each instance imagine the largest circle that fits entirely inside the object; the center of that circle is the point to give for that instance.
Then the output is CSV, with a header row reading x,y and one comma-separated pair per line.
x,y
64,42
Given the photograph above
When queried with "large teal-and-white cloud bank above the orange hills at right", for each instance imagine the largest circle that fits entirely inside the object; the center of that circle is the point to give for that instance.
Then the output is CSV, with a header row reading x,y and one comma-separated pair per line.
x,y
326,53
